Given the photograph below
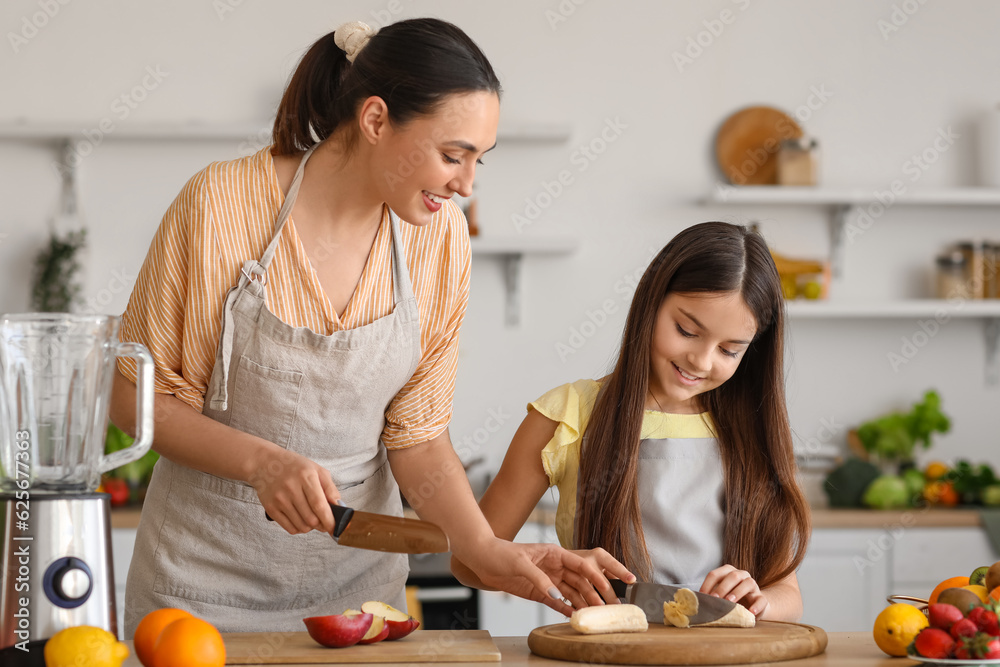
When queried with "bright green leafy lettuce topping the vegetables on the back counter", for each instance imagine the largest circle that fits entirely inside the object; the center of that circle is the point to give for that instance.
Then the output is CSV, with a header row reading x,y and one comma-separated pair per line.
x,y
893,437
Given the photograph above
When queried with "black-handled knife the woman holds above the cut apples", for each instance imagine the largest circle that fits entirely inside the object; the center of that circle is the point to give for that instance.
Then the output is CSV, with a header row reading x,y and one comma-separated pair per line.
x,y
381,532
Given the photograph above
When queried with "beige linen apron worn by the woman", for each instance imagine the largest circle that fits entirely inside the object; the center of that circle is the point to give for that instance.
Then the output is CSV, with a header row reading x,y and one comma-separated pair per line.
x,y
203,543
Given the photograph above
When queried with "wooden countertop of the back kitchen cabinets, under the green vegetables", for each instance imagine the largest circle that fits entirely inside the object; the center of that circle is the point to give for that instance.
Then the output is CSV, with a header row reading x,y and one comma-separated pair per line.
x,y
822,518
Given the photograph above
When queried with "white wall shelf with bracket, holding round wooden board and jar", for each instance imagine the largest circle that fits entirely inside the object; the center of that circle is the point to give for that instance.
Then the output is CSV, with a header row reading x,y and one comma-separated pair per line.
x,y
847,203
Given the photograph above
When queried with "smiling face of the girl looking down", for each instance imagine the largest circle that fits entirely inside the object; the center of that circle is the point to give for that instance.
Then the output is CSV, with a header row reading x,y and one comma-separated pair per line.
x,y
698,342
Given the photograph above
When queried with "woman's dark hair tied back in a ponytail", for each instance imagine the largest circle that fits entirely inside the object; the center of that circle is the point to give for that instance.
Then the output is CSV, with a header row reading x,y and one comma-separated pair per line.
x,y
412,65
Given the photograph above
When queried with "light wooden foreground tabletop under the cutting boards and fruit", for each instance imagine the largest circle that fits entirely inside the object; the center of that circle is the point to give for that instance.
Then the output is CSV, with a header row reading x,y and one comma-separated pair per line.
x,y
845,649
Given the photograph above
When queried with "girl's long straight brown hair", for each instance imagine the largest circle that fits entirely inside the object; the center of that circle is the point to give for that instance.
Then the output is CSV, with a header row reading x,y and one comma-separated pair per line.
x,y
767,521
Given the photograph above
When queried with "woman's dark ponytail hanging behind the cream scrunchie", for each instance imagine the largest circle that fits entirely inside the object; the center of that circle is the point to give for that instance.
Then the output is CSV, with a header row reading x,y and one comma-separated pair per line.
x,y
307,111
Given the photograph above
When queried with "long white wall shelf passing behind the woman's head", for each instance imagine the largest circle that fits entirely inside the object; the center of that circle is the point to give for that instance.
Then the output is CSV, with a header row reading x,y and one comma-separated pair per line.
x,y
240,131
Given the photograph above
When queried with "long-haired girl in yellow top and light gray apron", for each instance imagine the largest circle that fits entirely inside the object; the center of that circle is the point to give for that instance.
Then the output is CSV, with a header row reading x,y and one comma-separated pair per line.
x,y
679,463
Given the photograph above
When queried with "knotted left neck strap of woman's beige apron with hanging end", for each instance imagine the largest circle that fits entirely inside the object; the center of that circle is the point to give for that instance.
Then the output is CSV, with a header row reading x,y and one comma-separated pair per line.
x,y
253,276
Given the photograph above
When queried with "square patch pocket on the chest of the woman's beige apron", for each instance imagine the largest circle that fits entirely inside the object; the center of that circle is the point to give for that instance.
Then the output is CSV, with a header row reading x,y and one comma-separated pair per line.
x,y
255,385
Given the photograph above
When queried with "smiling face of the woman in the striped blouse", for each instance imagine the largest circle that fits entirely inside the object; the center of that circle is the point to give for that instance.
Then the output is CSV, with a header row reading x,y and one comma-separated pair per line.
x,y
430,158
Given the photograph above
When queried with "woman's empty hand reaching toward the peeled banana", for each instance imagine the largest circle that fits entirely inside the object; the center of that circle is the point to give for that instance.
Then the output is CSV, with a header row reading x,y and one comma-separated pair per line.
x,y
532,571
